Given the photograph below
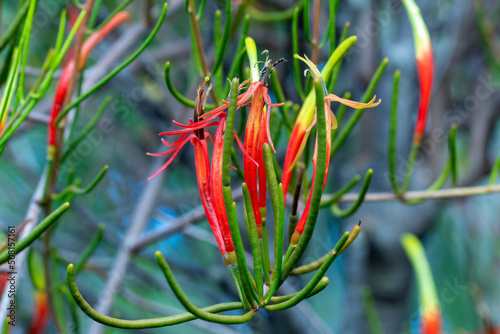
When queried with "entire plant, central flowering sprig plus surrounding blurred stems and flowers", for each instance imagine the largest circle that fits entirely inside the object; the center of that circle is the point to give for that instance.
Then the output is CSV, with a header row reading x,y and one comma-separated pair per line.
x,y
249,111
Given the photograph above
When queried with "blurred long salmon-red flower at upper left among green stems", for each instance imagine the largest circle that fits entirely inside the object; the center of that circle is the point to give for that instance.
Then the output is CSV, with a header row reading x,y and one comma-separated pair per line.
x,y
62,85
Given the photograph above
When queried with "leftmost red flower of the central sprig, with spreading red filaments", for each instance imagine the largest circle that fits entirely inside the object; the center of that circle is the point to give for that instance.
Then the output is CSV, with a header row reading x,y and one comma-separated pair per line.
x,y
209,177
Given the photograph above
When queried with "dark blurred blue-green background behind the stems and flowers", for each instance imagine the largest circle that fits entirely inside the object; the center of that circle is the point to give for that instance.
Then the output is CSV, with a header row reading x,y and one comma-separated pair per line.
x,y
461,237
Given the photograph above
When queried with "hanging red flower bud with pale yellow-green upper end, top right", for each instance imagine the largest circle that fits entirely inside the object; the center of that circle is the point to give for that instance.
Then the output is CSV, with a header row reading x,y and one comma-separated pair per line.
x,y
425,65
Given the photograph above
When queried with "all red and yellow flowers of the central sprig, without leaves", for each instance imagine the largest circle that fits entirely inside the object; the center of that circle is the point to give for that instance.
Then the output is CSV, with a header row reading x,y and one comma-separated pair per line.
x,y
257,133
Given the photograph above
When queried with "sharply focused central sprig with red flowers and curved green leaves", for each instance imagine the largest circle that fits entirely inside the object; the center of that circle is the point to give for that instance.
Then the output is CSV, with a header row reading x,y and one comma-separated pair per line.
x,y
255,290
